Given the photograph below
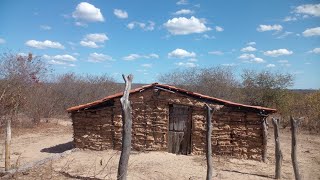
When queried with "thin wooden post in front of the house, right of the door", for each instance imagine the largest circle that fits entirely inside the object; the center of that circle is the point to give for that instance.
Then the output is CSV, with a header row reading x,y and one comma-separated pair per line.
x,y
209,145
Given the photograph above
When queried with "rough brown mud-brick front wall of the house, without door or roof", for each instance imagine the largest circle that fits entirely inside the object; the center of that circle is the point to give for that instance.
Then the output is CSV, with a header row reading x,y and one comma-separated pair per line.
x,y
235,133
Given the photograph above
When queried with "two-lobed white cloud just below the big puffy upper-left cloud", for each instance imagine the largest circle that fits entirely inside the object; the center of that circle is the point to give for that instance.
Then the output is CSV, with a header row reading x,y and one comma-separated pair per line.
x,y
91,40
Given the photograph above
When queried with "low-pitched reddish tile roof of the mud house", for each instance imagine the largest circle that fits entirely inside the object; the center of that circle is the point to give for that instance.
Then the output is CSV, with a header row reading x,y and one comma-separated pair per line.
x,y
171,88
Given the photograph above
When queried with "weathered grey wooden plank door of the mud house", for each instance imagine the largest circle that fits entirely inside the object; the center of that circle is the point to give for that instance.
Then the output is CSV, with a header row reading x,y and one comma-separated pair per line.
x,y
179,140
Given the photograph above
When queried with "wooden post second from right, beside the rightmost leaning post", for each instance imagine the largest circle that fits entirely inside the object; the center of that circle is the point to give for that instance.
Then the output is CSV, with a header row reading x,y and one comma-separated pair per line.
x,y
278,153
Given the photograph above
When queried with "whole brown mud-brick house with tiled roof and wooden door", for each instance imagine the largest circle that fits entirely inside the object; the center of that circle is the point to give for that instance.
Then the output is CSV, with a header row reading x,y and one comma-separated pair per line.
x,y
167,118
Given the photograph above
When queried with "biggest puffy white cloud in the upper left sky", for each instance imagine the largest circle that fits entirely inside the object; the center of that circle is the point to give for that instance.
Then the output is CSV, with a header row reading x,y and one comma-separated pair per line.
x,y
88,13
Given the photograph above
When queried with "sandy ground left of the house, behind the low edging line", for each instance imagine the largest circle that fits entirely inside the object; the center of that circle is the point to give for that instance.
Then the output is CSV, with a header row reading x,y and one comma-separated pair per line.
x,y
33,144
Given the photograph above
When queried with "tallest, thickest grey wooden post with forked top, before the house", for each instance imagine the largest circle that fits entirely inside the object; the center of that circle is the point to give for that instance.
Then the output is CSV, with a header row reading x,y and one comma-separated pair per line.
x,y
126,130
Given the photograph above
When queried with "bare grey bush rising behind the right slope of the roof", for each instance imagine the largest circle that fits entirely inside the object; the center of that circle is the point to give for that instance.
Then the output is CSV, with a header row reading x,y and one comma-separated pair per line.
x,y
218,82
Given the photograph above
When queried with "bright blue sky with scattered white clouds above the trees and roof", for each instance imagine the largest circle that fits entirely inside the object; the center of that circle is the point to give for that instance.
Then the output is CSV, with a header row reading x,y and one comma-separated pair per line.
x,y
148,38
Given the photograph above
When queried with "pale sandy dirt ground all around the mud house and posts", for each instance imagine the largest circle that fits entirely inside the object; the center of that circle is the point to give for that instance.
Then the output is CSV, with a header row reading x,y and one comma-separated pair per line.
x,y
86,164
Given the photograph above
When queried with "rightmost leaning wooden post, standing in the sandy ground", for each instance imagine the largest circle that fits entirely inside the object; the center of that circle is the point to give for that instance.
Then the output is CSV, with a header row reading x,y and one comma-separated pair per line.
x,y
294,148
